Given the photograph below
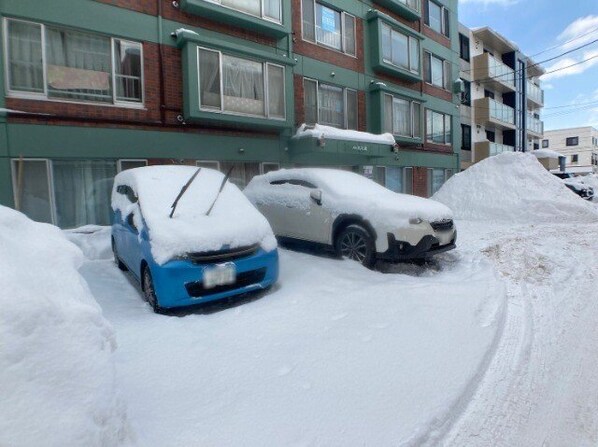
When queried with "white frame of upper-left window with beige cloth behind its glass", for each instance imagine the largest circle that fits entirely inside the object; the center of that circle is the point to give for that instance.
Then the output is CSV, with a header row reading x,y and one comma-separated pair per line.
x,y
44,96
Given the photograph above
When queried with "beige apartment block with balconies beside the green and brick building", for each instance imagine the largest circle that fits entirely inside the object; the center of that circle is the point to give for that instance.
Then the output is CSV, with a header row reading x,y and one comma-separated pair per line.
x,y
502,97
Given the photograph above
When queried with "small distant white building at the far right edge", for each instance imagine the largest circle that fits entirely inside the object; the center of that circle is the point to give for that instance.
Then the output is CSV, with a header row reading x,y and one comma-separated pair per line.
x,y
578,144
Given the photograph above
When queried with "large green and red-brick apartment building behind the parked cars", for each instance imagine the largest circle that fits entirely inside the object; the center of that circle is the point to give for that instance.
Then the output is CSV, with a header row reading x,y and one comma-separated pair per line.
x,y
93,87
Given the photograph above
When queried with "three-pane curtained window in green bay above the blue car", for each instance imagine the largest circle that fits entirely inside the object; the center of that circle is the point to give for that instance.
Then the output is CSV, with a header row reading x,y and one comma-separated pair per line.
x,y
240,86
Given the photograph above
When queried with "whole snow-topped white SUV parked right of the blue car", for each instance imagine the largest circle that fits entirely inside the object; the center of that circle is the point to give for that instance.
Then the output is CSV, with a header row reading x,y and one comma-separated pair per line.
x,y
358,218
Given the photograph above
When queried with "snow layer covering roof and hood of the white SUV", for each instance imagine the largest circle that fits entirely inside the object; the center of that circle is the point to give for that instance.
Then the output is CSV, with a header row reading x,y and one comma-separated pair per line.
x,y
351,193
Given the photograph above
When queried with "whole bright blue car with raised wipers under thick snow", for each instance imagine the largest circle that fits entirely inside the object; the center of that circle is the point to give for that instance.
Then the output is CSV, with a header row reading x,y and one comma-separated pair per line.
x,y
189,236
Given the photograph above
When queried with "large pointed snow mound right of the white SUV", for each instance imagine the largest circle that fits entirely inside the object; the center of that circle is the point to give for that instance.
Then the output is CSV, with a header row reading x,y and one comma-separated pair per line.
x,y
513,187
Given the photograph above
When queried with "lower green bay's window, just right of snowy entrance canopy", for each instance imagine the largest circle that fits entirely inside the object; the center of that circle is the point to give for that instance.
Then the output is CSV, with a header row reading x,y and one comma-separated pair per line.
x,y
402,117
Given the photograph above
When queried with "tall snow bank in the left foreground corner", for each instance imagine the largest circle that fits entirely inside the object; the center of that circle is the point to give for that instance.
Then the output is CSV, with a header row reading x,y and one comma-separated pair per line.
x,y
57,376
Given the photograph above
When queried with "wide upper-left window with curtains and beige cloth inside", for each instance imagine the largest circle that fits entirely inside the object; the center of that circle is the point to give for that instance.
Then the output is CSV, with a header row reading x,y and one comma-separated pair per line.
x,y
57,63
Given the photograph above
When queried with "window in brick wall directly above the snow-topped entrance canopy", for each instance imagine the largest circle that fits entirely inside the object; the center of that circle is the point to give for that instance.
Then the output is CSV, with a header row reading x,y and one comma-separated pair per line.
x,y
330,105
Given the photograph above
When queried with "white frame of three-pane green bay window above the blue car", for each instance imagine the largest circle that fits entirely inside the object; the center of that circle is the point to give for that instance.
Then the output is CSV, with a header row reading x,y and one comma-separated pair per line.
x,y
265,72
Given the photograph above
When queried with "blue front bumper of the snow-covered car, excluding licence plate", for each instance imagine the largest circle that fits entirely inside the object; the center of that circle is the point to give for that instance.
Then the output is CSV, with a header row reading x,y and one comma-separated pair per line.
x,y
178,283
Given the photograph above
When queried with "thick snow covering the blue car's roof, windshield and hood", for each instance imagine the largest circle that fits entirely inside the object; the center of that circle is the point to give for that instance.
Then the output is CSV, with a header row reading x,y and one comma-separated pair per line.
x,y
233,222
